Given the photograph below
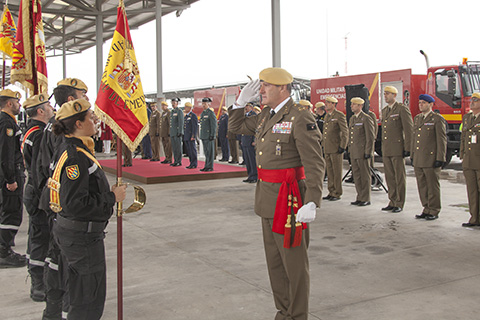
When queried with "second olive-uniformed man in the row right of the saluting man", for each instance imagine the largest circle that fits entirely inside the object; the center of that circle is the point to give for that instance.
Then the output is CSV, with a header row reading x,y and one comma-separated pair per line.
x,y
360,147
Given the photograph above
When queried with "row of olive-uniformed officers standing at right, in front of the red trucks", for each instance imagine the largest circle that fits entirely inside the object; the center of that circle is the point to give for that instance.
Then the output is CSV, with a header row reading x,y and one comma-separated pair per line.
x,y
423,139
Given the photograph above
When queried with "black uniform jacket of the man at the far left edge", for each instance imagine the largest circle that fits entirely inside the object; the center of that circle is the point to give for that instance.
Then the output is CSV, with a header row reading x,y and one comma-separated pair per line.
x,y
11,159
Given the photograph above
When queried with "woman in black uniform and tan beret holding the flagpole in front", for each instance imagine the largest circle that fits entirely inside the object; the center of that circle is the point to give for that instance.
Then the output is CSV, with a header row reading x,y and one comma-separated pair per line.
x,y
81,196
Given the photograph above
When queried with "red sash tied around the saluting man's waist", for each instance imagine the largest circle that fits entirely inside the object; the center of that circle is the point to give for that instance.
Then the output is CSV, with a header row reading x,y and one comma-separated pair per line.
x,y
288,192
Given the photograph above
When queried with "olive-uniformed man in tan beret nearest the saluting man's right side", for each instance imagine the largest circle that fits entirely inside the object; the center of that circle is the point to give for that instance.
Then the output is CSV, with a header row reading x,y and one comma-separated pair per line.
x,y
335,136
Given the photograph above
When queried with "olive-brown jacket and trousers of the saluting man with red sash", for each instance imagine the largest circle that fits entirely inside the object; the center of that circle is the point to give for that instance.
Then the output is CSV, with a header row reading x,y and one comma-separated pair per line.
x,y
288,139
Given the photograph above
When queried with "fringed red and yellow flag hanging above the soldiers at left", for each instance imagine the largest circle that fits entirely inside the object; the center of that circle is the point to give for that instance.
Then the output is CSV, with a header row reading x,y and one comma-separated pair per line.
x,y
29,65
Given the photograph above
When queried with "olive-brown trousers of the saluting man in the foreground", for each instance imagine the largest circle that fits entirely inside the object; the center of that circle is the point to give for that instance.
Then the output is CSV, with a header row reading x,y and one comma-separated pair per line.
x,y
289,274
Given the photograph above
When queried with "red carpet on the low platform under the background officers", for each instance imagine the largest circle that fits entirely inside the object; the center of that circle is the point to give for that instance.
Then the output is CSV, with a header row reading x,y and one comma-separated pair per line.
x,y
149,172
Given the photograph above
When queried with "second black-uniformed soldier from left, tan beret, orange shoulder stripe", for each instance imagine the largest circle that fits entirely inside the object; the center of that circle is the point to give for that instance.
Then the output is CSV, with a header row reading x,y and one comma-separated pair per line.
x,y
39,112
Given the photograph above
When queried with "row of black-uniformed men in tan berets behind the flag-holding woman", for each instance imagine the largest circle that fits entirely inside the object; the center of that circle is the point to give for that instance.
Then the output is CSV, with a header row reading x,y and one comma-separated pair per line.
x,y
33,151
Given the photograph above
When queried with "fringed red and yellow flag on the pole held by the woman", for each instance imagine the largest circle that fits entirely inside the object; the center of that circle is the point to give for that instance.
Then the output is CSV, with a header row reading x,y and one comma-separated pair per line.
x,y
120,99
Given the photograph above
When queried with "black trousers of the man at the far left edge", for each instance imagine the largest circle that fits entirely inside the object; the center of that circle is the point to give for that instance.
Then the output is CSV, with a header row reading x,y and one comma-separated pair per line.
x,y
11,210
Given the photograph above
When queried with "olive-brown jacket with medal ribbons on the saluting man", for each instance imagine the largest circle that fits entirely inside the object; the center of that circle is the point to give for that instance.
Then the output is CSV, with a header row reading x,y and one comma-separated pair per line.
x,y
289,139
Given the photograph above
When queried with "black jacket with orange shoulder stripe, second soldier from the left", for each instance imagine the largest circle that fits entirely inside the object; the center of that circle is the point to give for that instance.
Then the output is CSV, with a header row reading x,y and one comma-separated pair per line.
x,y
31,148
